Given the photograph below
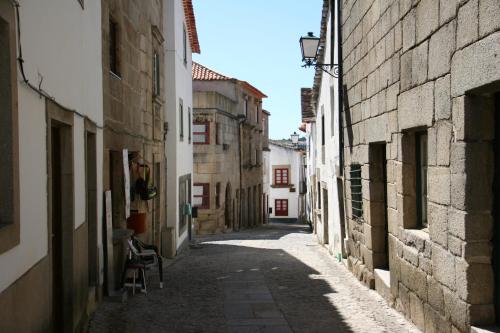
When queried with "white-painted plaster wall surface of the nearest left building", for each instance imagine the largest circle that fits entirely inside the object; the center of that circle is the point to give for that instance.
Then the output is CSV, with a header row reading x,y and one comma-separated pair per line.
x,y
64,50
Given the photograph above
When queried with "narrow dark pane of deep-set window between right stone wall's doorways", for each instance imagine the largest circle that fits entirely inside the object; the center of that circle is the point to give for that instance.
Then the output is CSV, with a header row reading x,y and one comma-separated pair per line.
x,y
421,174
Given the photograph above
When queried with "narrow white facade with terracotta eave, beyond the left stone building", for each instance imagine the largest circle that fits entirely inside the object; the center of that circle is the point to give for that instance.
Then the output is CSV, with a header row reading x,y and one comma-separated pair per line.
x,y
181,41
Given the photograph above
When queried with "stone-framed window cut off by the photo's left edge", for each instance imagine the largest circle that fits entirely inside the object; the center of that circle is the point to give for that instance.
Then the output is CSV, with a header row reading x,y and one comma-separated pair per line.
x,y
9,176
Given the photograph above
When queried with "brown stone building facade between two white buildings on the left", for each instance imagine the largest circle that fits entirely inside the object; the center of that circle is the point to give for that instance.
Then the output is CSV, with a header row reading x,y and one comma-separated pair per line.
x,y
134,98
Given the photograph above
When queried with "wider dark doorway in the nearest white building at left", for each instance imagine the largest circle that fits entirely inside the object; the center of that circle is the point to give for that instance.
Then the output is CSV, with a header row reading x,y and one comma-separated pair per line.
x,y
61,224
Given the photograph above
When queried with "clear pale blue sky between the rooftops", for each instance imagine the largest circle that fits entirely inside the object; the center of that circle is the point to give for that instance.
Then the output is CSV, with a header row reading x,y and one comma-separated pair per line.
x,y
258,41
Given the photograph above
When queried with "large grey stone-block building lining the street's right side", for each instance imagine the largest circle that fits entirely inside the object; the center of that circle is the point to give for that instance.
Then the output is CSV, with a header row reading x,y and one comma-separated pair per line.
x,y
421,81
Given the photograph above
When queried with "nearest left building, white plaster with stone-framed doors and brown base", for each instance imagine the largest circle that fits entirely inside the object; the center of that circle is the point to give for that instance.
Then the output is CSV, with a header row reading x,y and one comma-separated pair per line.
x,y
51,135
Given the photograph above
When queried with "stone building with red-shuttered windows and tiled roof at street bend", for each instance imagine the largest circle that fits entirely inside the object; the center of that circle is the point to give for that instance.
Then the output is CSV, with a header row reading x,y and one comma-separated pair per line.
x,y
227,138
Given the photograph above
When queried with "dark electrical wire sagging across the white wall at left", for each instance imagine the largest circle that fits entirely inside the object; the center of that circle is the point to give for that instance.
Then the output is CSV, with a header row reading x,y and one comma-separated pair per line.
x,y
38,89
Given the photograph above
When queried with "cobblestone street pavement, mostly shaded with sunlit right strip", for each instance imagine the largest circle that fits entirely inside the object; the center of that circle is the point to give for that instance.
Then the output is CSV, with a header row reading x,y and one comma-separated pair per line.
x,y
275,278
